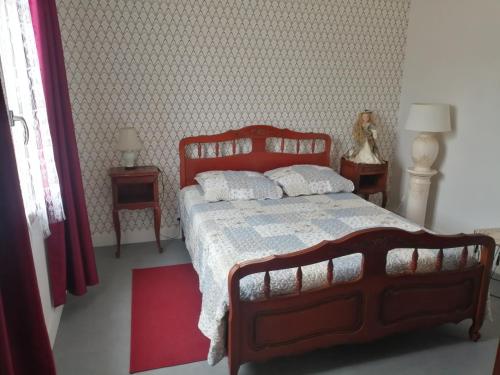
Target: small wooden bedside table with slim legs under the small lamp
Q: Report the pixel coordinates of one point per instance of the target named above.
(135, 189)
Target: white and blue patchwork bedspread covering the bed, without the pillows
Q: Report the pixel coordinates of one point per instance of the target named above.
(221, 234)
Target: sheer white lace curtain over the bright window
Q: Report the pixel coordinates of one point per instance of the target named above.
(24, 92)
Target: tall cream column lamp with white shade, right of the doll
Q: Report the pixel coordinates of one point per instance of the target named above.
(427, 119)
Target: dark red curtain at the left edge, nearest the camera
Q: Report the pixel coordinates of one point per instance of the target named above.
(24, 342)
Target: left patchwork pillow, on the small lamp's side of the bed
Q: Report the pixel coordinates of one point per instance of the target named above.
(237, 185)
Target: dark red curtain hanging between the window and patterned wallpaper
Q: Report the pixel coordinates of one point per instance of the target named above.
(69, 247)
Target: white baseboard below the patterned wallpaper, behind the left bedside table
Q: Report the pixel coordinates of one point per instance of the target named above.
(146, 235)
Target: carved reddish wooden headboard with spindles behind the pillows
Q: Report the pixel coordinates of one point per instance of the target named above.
(253, 148)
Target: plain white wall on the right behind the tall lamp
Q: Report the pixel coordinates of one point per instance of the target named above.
(453, 57)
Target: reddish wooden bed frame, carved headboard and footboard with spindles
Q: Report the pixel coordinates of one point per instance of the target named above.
(375, 305)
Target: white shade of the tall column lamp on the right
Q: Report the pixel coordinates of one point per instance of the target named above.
(429, 118)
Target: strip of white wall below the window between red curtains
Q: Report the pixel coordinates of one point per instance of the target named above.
(51, 314)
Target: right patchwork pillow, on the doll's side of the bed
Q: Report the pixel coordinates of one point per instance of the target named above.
(305, 179)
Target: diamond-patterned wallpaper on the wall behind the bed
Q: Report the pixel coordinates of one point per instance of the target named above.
(174, 68)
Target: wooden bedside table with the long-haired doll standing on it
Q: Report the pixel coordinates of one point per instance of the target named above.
(367, 178)
